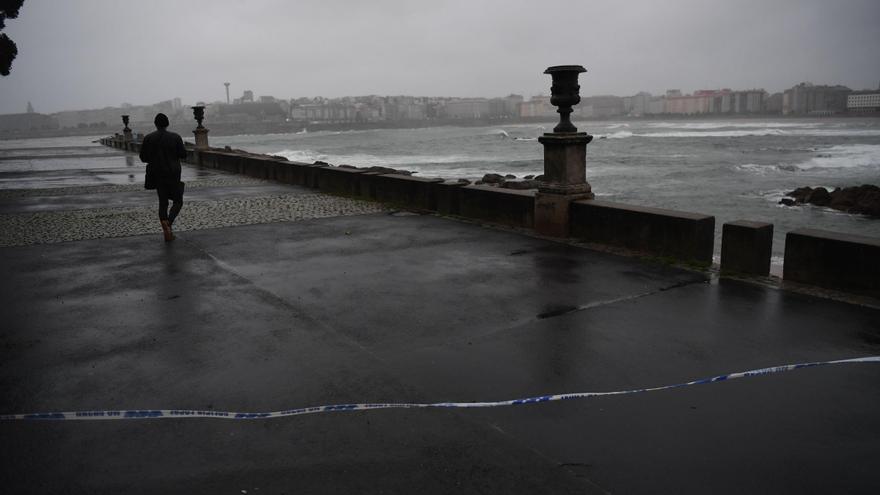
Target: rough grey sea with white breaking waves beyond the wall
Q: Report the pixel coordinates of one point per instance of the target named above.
(732, 169)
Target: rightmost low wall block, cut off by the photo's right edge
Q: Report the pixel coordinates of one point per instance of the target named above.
(833, 260)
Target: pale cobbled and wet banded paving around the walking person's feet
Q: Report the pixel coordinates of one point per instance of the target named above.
(69, 195)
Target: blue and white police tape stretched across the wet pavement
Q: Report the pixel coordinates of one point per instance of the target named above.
(180, 413)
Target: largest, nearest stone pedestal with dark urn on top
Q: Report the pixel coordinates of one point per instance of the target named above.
(565, 157)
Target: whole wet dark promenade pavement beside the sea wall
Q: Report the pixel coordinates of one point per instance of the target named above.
(275, 297)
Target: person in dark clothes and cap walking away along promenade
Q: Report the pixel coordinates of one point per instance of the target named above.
(162, 151)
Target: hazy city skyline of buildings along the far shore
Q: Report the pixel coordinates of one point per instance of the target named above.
(806, 100)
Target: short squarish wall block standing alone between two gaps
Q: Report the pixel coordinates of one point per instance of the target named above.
(746, 247)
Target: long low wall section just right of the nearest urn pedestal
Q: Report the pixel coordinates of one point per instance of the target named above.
(684, 236)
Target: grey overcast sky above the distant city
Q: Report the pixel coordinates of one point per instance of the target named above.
(97, 53)
